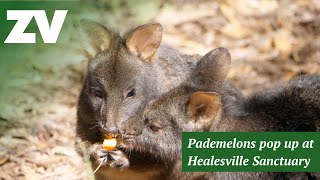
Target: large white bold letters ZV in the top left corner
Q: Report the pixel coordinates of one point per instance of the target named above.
(48, 32)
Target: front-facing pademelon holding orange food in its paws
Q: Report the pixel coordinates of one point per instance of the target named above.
(124, 74)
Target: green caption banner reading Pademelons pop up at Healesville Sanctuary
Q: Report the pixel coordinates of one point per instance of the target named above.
(250, 152)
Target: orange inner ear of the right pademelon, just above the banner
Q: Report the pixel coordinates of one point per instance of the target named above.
(204, 106)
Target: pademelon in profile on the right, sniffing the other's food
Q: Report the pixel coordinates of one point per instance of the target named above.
(271, 110)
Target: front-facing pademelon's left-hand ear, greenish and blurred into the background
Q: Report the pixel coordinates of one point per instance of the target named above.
(94, 37)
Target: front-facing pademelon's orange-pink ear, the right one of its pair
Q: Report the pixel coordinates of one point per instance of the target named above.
(145, 40)
